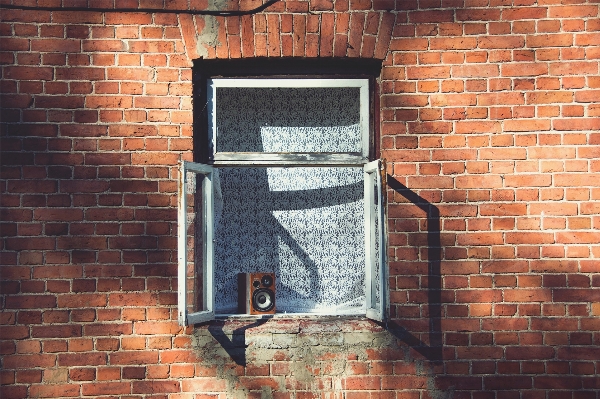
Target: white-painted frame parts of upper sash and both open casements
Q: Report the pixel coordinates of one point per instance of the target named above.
(373, 207)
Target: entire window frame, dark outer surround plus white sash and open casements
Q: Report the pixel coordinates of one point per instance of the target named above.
(266, 73)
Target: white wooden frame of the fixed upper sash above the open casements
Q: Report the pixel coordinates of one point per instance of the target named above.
(220, 154)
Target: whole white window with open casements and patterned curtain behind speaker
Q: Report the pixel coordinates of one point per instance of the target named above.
(286, 187)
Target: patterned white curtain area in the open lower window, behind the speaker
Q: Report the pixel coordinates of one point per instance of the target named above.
(304, 224)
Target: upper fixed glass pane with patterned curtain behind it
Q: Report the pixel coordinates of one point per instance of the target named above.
(288, 120)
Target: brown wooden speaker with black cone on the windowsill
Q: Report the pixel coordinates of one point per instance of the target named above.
(256, 293)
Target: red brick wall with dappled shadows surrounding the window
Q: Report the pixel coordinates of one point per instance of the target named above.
(490, 119)
